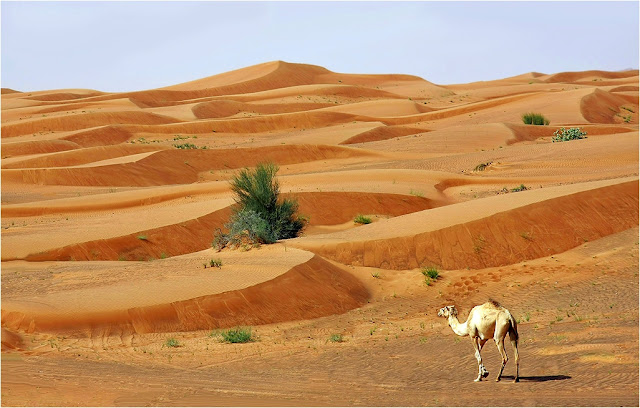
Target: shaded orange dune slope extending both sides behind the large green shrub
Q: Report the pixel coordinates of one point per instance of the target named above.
(329, 208)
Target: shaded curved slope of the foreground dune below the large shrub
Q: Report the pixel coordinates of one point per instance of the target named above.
(310, 290)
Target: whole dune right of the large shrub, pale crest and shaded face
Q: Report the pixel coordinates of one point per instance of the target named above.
(511, 229)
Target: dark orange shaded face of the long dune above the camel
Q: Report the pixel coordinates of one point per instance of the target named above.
(532, 231)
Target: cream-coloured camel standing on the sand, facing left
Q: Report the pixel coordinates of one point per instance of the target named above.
(484, 322)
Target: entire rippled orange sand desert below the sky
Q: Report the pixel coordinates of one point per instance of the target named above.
(107, 226)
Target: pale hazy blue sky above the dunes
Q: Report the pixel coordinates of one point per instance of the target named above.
(128, 46)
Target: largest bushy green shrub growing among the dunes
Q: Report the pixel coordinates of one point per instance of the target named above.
(259, 216)
